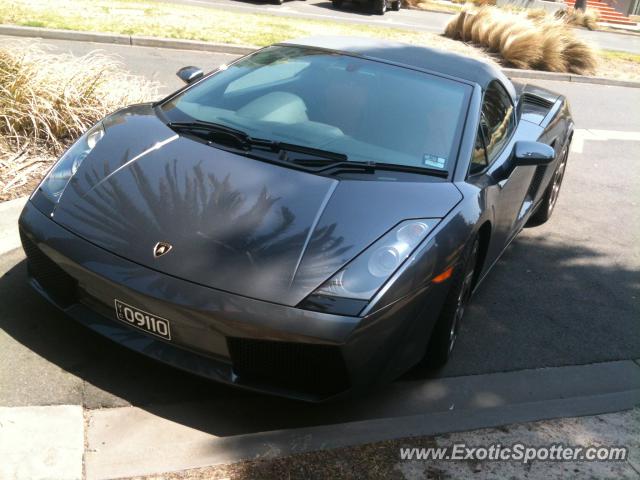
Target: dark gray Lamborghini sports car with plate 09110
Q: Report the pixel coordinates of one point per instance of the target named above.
(307, 221)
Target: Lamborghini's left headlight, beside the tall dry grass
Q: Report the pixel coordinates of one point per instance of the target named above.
(56, 181)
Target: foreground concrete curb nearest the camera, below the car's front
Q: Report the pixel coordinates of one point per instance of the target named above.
(178, 448)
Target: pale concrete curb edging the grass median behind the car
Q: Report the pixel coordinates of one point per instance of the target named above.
(141, 41)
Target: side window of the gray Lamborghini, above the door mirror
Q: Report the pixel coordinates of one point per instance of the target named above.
(497, 112)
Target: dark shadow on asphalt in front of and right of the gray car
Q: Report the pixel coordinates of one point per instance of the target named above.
(545, 304)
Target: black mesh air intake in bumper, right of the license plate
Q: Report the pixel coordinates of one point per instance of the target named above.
(309, 368)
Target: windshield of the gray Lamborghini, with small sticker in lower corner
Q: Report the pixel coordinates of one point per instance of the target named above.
(367, 110)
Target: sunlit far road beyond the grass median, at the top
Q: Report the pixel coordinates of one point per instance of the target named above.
(409, 19)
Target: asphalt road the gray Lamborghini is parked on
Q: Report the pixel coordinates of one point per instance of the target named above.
(566, 293)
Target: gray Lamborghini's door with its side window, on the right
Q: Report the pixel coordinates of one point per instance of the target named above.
(505, 188)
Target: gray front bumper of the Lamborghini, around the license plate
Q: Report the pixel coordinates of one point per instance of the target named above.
(229, 338)
